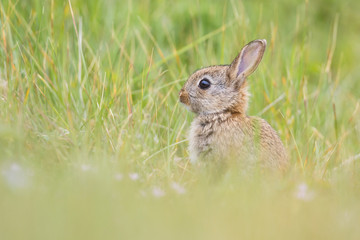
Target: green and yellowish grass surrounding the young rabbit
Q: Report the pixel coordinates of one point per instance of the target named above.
(93, 138)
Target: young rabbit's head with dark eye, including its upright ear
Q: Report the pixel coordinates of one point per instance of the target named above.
(223, 88)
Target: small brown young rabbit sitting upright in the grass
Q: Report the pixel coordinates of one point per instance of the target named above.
(222, 131)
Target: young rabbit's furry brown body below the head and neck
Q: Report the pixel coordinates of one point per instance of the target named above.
(236, 137)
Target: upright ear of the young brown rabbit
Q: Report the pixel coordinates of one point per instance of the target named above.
(247, 60)
